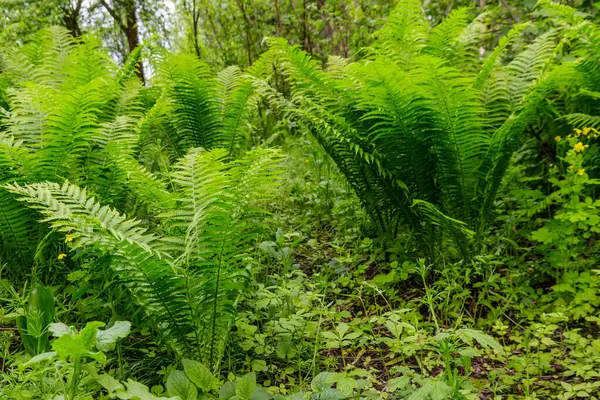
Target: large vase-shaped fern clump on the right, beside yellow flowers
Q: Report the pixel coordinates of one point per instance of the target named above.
(421, 127)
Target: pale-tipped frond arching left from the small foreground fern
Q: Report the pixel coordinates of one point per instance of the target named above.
(140, 267)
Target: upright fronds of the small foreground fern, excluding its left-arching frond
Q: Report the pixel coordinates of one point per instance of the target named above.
(220, 215)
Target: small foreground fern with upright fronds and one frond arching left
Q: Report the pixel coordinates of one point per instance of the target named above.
(188, 280)
